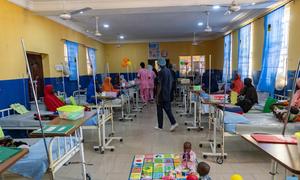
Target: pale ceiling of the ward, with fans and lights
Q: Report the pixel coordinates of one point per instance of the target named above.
(149, 20)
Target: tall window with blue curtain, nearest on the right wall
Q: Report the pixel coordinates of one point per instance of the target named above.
(275, 49)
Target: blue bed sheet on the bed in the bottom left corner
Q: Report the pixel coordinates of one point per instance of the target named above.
(35, 164)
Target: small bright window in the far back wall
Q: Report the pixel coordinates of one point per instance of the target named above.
(190, 64)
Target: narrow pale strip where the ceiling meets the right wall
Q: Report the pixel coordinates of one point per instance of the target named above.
(268, 11)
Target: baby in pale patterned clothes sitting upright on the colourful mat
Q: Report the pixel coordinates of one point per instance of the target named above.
(189, 159)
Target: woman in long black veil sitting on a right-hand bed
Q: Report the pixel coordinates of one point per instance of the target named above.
(248, 96)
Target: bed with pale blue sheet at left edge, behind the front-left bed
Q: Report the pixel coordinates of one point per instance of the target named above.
(9, 119)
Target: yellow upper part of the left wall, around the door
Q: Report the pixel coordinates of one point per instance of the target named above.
(41, 35)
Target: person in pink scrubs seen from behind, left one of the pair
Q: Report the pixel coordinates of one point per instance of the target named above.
(143, 76)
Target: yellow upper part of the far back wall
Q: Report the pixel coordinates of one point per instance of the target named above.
(138, 52)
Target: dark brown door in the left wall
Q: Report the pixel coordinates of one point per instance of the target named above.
(36, 68)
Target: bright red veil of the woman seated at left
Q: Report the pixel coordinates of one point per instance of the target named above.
(51, 101)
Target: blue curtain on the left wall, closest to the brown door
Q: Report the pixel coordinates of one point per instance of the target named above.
(72, 49)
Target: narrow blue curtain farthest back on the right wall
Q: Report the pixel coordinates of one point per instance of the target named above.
(227, 58)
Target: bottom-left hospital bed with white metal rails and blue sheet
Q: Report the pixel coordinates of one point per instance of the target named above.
(35, 164)
